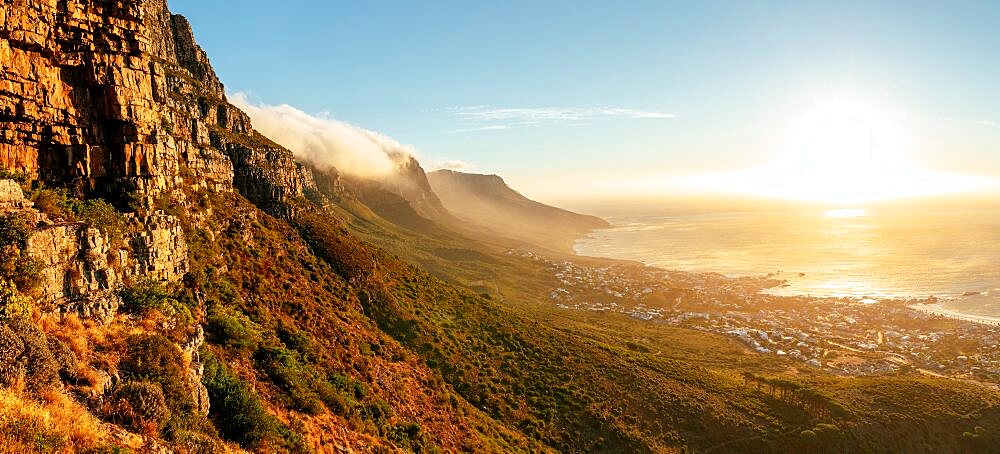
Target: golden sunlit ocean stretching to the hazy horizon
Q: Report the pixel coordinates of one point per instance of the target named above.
(947, 249)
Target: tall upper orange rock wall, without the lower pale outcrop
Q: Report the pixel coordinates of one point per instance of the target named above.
(110, 94)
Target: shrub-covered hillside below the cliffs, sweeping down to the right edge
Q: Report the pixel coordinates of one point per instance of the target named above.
(319, 340)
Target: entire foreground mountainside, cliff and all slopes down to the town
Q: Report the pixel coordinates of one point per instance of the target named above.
(181, 278)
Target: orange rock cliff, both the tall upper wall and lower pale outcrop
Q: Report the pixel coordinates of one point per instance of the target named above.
(116, 98)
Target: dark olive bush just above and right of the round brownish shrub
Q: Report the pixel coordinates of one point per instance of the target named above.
(156, 359)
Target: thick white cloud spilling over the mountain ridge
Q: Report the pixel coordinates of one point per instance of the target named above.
(325, 142)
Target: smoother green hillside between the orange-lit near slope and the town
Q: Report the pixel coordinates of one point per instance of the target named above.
(582, 382)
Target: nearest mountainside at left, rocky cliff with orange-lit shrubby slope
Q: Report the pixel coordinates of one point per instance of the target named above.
(187, 309)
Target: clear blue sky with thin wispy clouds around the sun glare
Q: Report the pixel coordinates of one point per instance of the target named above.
(558, 95)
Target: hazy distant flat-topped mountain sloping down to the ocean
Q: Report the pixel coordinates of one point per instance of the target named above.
(487, 201)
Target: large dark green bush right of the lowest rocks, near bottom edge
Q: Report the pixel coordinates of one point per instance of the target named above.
(237, 410)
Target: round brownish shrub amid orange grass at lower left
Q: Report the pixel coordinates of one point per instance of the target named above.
(139, 405)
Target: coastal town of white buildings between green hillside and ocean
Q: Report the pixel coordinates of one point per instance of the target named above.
(844, 336)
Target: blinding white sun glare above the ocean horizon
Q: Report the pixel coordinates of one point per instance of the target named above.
(843, 152)
